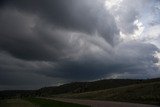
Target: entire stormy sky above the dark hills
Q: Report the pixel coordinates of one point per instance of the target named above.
(52, 42)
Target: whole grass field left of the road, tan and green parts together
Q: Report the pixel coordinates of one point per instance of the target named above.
(36, 102)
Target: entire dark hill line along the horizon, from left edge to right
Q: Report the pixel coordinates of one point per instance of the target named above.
(75, 87)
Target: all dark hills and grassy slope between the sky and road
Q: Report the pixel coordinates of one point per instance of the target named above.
(144, 91)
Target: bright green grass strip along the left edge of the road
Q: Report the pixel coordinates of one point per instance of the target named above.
(52, 103)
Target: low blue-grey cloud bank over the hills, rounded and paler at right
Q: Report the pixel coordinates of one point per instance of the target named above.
(131, 60)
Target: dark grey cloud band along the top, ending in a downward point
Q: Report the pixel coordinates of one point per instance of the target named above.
(83, 15)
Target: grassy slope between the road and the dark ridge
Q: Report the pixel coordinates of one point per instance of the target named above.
(139, 93)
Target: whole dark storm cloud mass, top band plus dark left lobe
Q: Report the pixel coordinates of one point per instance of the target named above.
(86, 16)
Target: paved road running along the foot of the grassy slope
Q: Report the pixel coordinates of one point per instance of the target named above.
(95, 103)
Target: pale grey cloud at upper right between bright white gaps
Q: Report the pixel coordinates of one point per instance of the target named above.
(128, 12)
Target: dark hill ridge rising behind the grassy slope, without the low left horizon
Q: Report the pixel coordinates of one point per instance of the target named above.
(80, 87)
